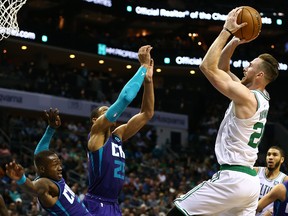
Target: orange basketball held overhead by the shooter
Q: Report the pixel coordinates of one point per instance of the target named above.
(254, 23)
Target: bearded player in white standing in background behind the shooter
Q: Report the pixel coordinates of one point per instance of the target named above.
(271, 175)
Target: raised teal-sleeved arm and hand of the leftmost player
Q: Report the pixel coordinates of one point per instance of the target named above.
(54, 122)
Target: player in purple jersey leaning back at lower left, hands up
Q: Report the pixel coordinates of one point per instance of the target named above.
(54, 195)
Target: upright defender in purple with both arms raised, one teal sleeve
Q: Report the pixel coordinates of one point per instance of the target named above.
(106, 158)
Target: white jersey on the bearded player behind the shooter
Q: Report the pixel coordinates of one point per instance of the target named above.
(266, 185)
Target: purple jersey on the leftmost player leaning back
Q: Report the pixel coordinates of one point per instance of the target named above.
(68, 204)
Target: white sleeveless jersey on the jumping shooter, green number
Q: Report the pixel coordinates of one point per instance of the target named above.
(238, 139)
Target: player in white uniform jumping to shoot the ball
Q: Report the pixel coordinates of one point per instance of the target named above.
(234, 190)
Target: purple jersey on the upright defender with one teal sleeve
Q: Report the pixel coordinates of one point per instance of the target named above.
(106, 168)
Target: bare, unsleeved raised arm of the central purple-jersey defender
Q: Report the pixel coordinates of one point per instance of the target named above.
(126, 131)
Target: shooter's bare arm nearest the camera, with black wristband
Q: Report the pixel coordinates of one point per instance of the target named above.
(235, 91)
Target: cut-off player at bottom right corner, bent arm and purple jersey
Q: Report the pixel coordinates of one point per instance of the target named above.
(278, 195)
